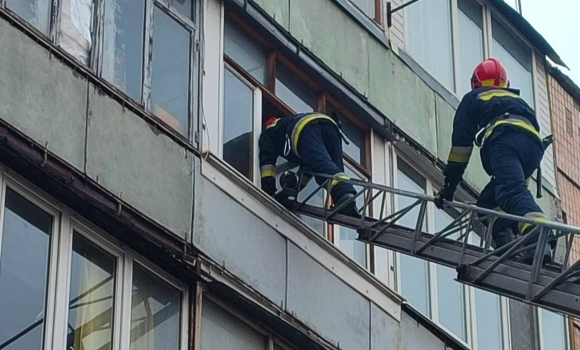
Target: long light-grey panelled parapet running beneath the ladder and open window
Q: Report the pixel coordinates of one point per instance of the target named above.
(289, 276)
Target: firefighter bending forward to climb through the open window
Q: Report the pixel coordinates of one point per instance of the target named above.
(315, 142)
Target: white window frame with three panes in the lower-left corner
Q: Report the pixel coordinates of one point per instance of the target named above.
(65, 224)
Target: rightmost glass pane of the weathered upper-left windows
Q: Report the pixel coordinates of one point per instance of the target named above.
(170, 76)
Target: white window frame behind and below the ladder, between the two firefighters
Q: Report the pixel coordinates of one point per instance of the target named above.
(468, 292)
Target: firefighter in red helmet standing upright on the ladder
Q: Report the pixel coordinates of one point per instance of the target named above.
(502, 124)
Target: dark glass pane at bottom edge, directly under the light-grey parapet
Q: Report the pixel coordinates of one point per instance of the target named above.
(220, 330)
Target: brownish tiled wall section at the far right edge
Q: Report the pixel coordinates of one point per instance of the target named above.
(565, 110)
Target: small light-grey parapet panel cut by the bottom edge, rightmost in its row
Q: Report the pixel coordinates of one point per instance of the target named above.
(415, 336)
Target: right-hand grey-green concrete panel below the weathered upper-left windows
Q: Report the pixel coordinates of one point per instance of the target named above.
(126, 155)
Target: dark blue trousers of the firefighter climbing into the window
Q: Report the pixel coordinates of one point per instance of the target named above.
(320, 151)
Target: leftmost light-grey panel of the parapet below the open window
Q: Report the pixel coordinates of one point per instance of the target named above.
(244, 244)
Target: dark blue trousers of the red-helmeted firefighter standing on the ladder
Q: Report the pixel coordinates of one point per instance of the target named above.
(510, 159)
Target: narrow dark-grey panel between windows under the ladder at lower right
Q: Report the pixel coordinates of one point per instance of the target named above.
(521, 325)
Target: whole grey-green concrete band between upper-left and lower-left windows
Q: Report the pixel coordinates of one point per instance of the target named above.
(52, 105)
